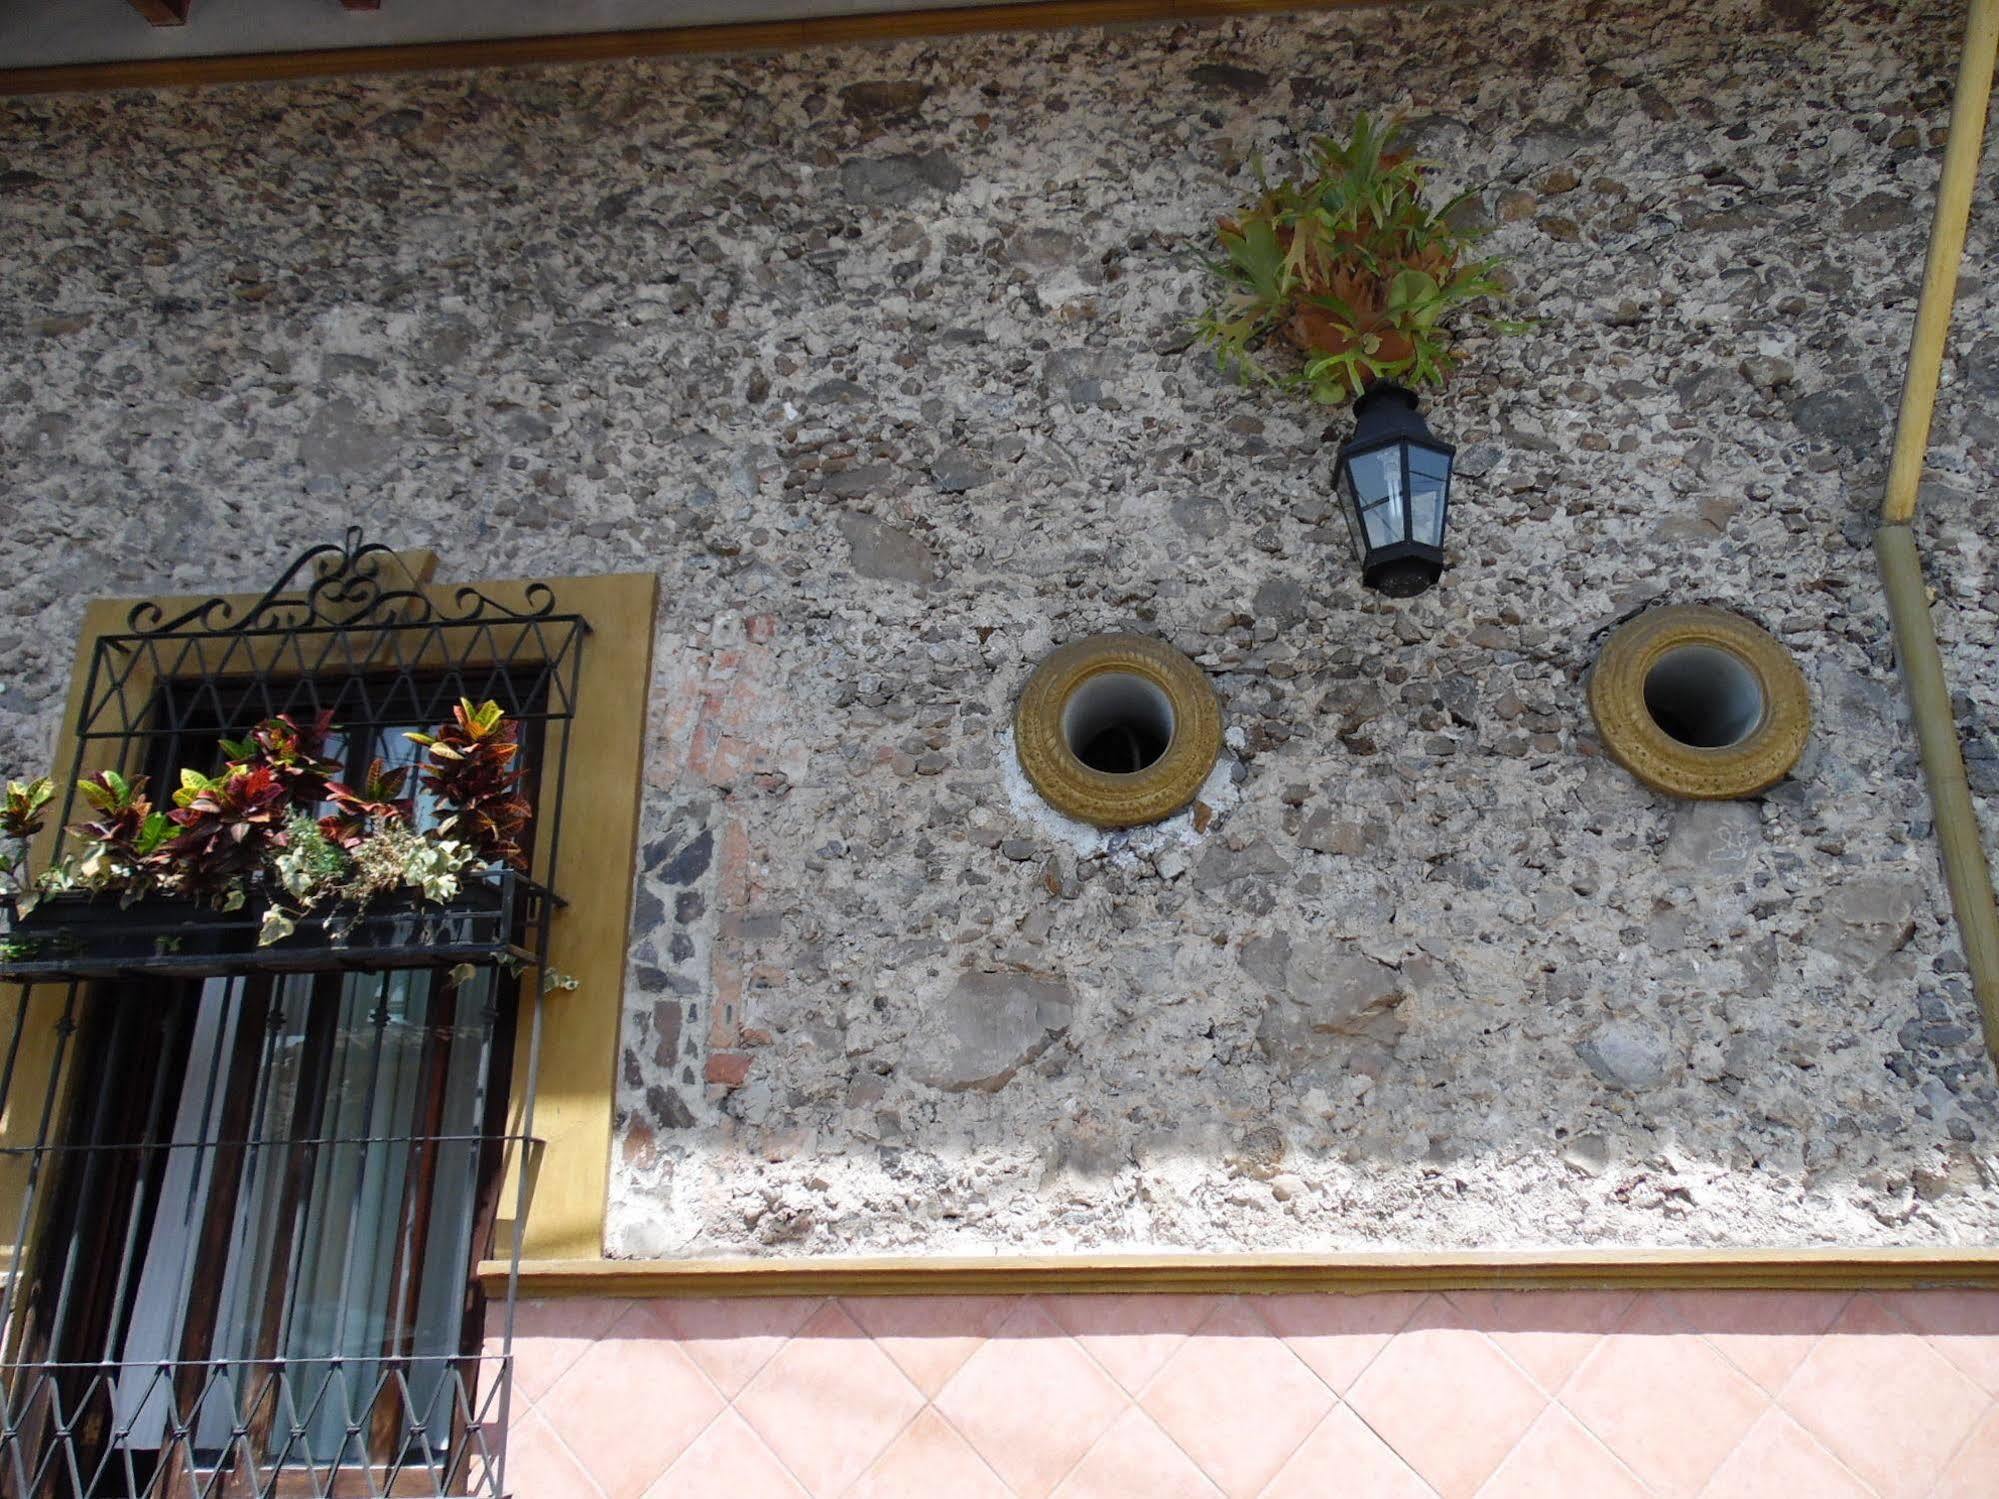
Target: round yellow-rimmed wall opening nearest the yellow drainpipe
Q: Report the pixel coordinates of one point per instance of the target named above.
(1700, 703)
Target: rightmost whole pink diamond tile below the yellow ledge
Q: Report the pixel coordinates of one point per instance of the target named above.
(1884, 1400)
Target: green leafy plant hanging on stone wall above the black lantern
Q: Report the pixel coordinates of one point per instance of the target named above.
(1354, 271)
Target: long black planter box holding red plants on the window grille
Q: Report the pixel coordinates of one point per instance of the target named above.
(495, 918)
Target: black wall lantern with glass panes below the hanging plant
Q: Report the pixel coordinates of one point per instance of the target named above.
(1396, 483)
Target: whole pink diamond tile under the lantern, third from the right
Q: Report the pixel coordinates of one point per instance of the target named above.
(1446, 1400)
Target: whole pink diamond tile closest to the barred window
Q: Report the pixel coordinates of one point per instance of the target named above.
(637, 1358)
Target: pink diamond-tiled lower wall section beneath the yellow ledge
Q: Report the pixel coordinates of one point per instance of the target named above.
(1598, 1396)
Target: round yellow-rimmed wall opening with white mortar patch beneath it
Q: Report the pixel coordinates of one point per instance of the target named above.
(1118, 731)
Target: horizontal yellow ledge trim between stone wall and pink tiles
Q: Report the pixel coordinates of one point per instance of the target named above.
(1254, 1272)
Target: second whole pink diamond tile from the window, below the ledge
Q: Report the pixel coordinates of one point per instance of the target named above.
(829, 1402)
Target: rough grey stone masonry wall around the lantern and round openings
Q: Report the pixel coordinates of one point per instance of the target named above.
(881, 361)
